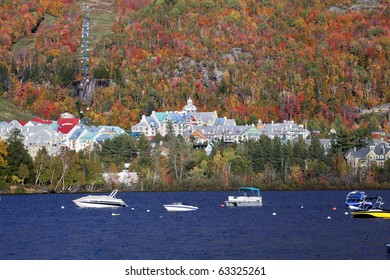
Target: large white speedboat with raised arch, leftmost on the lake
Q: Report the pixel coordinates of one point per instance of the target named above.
(100, 201)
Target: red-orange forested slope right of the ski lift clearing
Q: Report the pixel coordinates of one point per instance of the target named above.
(272, 60)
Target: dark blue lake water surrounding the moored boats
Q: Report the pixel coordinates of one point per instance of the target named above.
(37, 227)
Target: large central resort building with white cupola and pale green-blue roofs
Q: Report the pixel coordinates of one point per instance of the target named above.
(201, 128)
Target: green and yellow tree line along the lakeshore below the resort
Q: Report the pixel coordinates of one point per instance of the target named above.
(171, 164)
